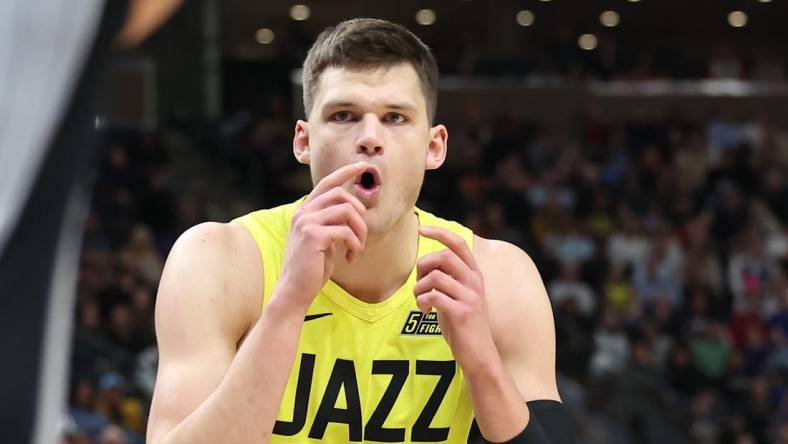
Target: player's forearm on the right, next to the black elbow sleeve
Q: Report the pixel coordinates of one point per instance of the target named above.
(498, 406)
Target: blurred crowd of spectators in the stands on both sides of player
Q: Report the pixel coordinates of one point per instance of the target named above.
(663, 246)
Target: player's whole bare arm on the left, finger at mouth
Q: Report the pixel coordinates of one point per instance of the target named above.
(223, 370)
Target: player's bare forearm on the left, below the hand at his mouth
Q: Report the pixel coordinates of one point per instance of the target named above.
(244, 406)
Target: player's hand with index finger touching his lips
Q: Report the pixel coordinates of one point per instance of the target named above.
(330, 220)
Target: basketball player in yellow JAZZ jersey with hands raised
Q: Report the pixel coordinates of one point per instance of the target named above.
(369, 319)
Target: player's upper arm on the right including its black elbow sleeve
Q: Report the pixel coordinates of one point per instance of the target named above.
(523, 329)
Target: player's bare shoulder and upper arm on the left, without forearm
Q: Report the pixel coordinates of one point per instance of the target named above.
(200, 317)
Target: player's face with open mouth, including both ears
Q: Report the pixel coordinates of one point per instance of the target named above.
(378, 116)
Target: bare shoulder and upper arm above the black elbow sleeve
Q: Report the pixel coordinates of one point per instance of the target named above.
(521, 317)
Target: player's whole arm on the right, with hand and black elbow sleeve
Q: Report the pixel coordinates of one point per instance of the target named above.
(496, 317)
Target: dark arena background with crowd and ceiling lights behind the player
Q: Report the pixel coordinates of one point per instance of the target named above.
(643, 165)
